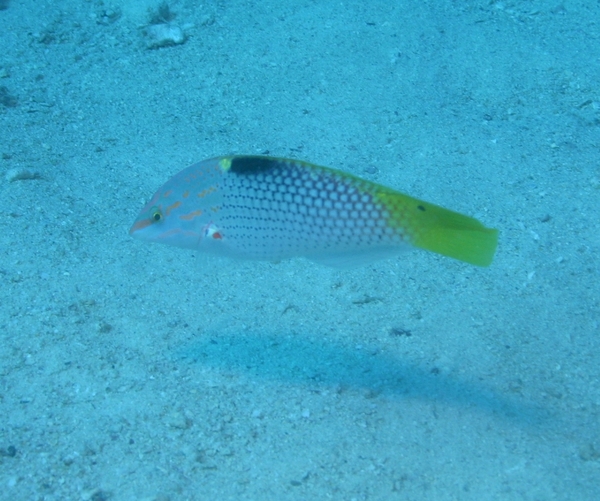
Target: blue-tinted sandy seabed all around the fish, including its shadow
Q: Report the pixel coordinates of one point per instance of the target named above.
(137, 371)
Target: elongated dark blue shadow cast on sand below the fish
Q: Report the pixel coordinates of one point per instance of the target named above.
(322, 363)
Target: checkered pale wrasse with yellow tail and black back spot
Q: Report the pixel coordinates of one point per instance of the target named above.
(268, 208)
